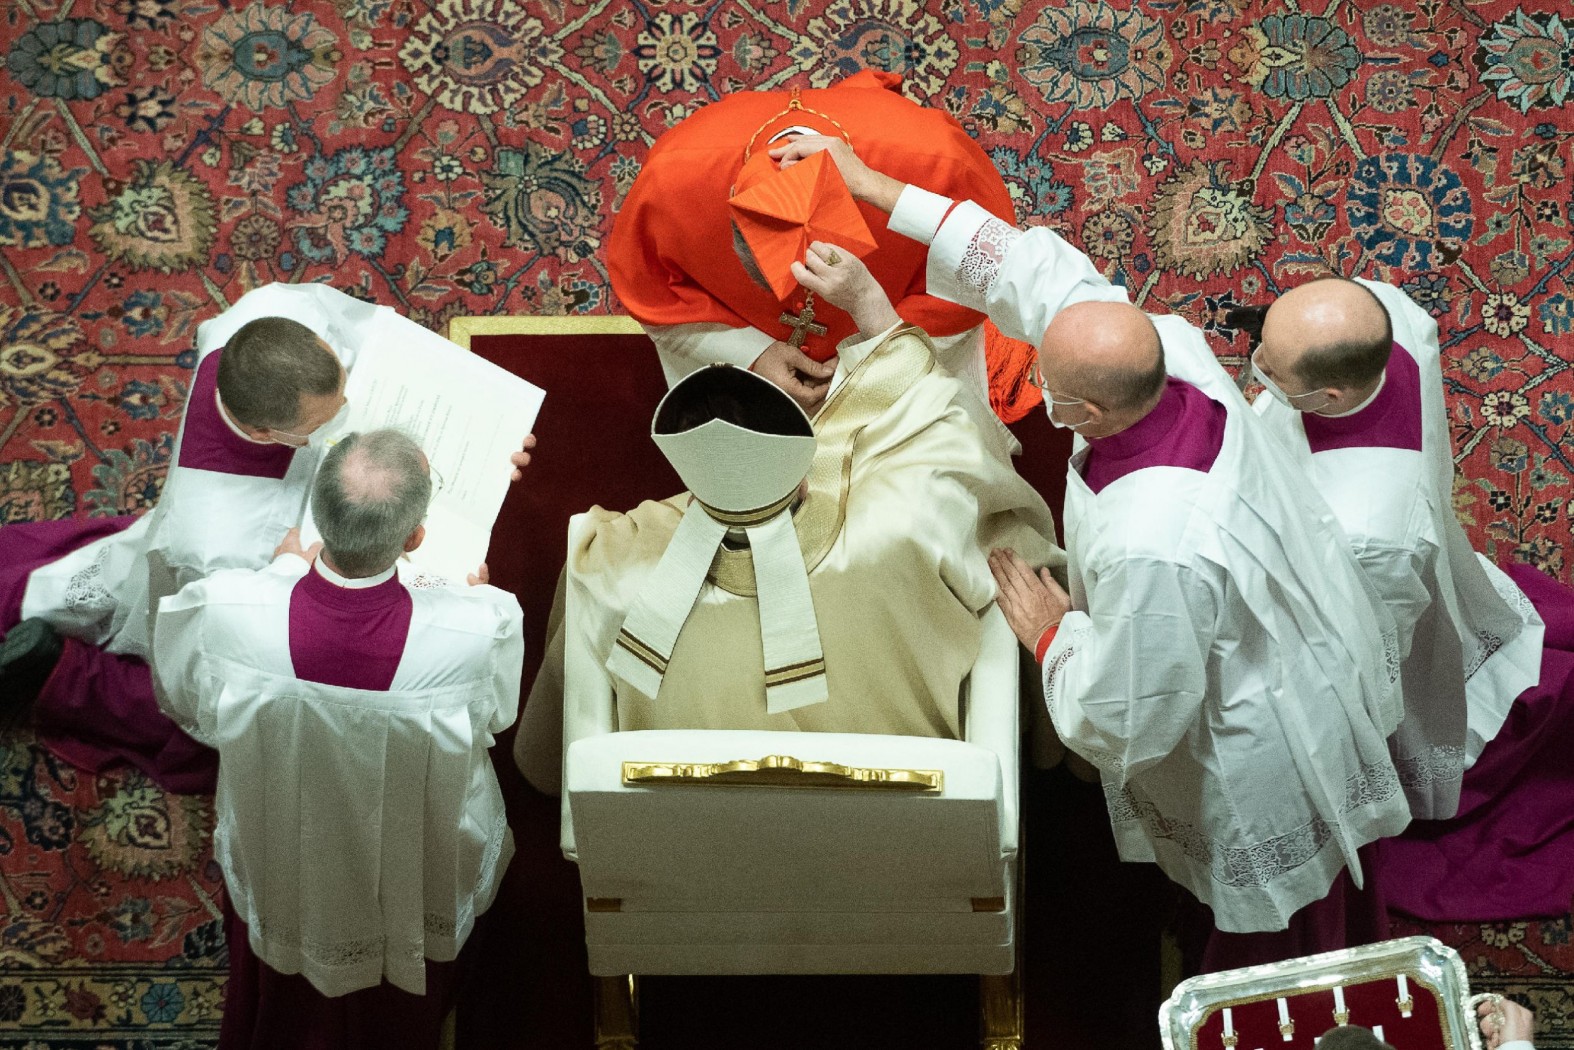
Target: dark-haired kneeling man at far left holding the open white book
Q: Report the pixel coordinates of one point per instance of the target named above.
(78, 597)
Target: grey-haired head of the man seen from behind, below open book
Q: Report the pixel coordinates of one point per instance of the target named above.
(369, 497)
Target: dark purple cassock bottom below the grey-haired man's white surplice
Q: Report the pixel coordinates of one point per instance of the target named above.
(265, 1010)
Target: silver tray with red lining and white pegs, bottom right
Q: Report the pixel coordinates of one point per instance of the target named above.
(1411, 993)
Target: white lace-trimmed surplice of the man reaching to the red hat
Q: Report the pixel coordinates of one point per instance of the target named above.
(1227, 665)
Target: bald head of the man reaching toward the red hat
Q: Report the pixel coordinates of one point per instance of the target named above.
(1107, 353)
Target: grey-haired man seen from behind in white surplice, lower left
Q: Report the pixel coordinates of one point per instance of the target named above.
(361, 826)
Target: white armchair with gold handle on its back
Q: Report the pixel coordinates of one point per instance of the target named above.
(733, 852)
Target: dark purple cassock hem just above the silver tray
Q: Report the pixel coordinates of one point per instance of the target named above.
(1345, 919)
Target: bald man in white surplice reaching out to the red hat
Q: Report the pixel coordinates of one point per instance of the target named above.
(1221, 657)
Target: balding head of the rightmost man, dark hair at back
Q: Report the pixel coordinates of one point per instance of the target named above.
(1329, 333)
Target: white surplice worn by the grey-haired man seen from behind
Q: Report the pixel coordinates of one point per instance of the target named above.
(360, 832)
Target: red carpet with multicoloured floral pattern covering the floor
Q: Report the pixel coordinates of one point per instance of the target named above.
(158, 158)
